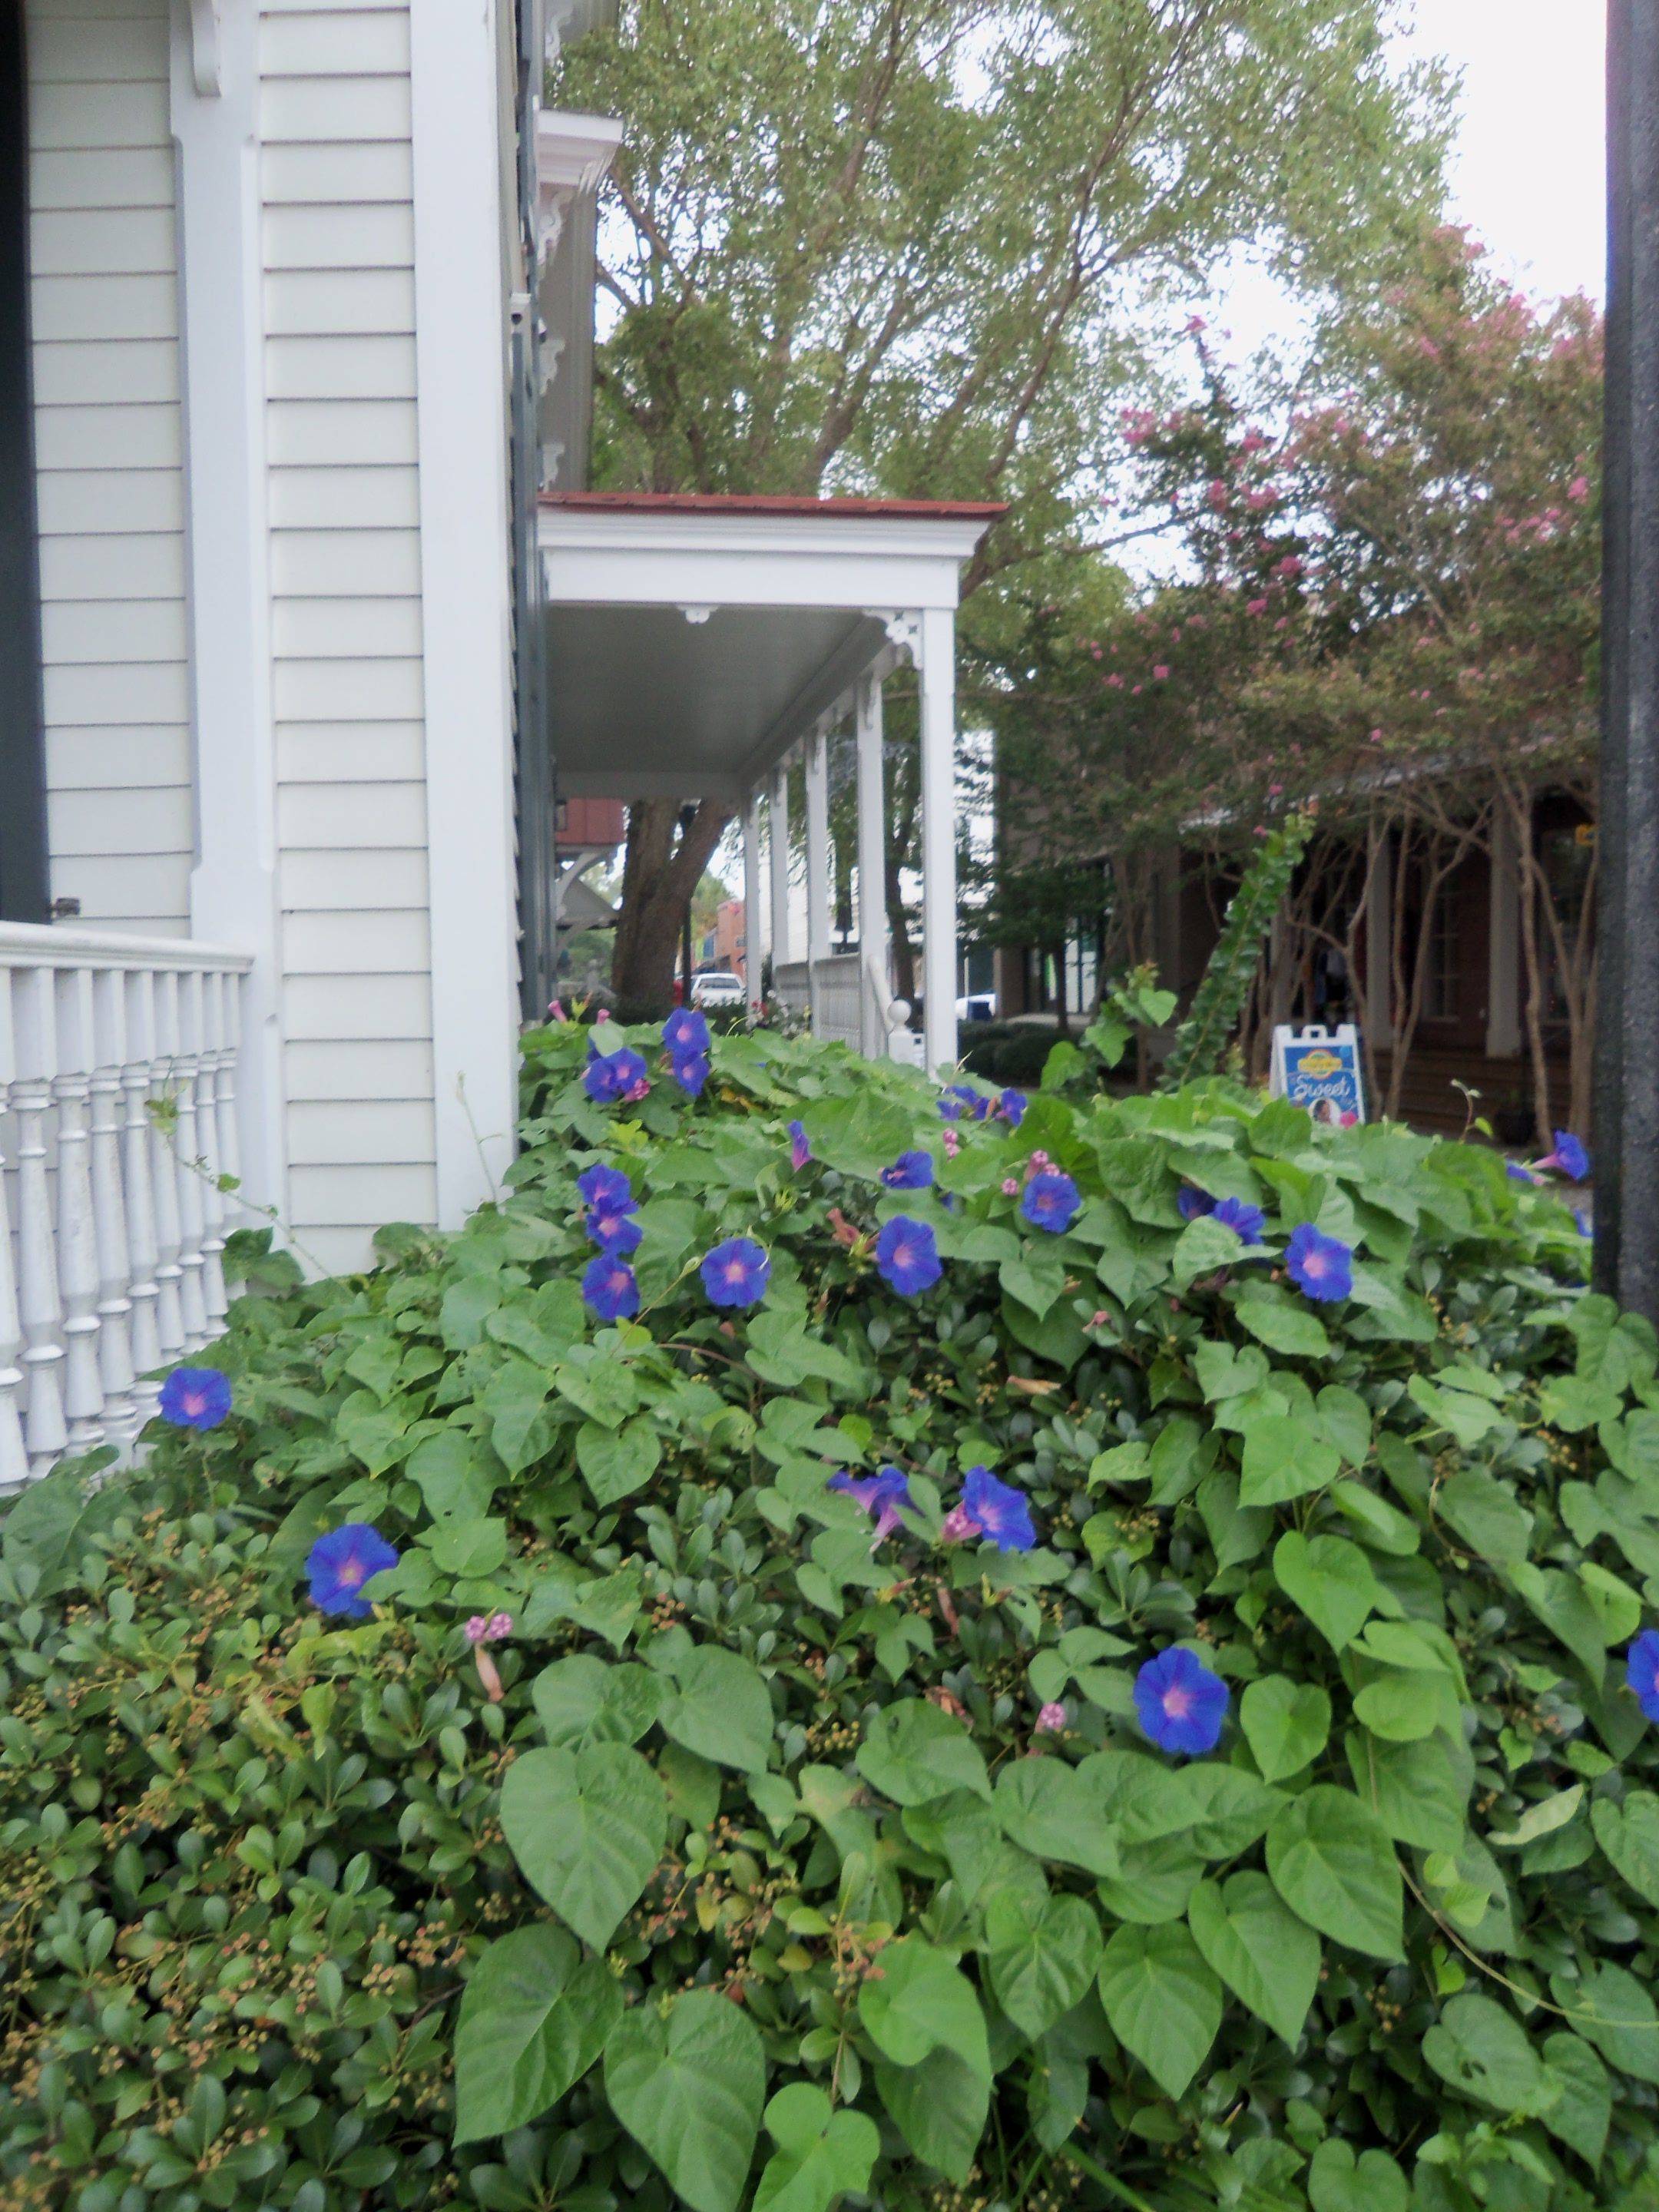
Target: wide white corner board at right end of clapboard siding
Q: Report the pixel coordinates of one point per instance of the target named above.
(466, 605)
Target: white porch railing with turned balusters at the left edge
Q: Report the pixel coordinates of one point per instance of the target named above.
(118, 1114)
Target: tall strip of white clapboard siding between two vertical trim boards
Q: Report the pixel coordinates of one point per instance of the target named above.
(346, 620)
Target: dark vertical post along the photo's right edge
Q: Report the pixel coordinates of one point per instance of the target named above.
(1627, 1072)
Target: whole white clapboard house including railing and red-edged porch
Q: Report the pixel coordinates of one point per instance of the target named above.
(302, 616)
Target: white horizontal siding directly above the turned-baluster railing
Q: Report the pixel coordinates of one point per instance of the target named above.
(112, 461)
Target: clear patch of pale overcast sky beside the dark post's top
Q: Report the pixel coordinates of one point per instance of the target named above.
(1530, 165)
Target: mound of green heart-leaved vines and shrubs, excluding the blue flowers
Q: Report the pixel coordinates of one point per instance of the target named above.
(758, 1875)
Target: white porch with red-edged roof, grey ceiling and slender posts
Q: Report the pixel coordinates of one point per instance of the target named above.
(698, 643)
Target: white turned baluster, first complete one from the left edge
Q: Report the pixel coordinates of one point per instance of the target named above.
(39, 1304)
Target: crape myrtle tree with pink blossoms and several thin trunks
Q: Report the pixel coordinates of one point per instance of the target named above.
(1388, 609)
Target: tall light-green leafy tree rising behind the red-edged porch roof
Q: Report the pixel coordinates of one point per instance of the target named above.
(904, 247)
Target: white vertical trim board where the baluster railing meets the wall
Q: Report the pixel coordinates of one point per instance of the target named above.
(222, 326)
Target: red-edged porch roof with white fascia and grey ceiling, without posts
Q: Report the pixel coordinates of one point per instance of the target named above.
(693, 643)
